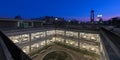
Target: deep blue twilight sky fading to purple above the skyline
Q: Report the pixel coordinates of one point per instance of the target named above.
(79, 9)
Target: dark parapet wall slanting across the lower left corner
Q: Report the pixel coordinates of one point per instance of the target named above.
(10, 50)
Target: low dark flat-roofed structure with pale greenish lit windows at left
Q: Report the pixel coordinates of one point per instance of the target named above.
(18, 23)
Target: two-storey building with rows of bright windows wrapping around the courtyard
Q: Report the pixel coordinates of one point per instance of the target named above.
(85, 38)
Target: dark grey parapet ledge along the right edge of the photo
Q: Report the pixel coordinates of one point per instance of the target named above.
(111, 43)
